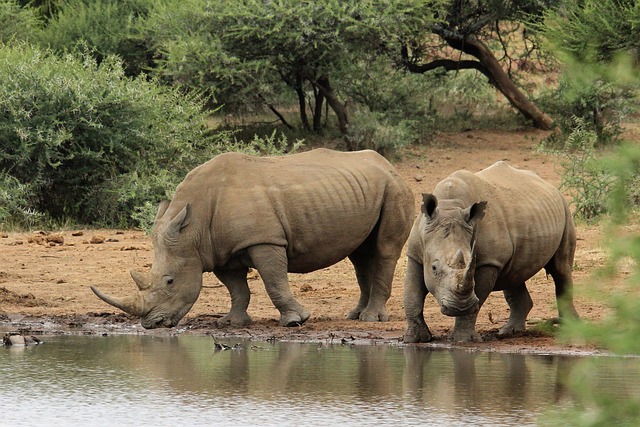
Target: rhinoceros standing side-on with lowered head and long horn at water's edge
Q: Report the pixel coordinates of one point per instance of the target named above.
(296, 213)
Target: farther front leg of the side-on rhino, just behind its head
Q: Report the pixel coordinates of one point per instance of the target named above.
(236, 282)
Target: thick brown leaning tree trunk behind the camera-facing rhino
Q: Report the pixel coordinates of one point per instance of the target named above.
(501, 81)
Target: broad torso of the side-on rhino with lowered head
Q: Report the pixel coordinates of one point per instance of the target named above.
(320, 204)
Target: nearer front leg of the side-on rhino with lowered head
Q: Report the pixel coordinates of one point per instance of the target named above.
(271, 262)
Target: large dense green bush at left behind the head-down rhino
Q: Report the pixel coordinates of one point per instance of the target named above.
(89, 144)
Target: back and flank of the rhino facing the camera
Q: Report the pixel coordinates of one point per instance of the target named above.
(524, 221)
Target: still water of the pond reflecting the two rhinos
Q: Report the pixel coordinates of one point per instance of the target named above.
(183, 381)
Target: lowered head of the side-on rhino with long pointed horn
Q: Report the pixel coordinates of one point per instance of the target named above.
(172, 287)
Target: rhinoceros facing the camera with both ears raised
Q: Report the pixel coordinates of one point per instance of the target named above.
(519, 223)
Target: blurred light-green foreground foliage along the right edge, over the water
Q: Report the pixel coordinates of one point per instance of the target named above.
(620, 331)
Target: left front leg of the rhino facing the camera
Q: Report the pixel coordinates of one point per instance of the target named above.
(415, 292)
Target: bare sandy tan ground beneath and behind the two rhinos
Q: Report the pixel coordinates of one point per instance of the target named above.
(45, 276)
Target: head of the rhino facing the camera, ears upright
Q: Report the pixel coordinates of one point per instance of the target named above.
(449, 253)
